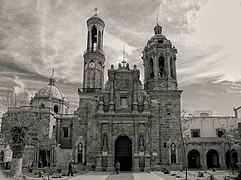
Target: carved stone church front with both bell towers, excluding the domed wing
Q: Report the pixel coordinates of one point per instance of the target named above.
(123, 122)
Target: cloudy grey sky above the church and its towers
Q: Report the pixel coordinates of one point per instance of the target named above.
(39, 35)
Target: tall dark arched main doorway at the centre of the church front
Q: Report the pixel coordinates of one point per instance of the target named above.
(123, 153)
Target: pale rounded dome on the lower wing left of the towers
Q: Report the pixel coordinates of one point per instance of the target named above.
(50, 91)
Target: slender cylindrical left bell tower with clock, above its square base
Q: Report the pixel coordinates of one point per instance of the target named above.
(94, 56)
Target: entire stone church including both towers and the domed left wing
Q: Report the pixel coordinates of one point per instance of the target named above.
(121, 120)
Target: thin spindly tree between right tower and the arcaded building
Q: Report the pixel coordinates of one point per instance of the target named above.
(184, 123)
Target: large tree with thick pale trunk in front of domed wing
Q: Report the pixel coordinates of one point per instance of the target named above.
(18, 121)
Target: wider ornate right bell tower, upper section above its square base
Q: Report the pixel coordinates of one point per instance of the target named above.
(159, 56)
